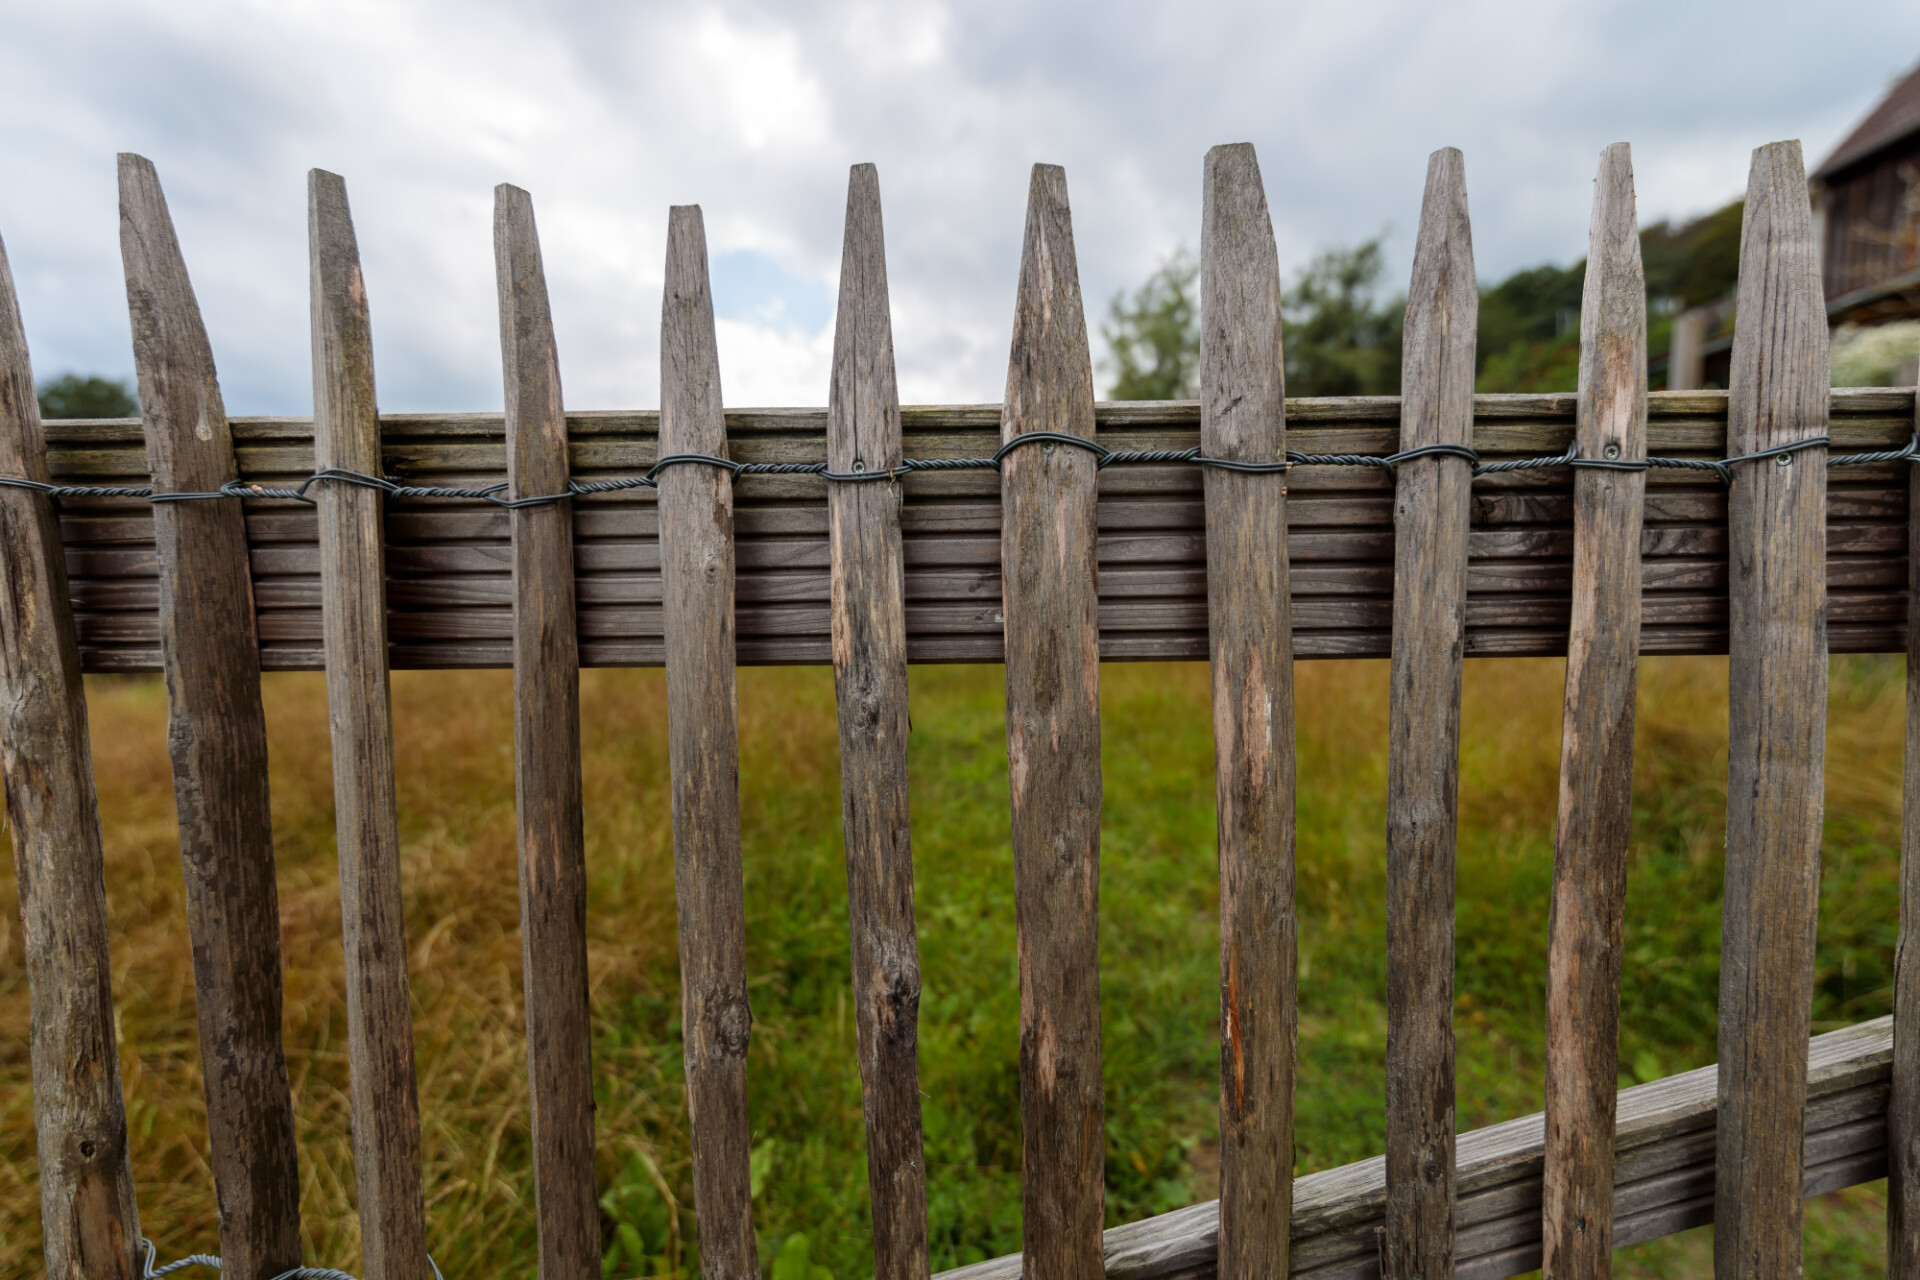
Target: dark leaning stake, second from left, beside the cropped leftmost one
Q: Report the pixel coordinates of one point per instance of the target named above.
(218, 738)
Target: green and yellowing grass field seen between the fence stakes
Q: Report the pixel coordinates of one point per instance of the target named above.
(1159, 951)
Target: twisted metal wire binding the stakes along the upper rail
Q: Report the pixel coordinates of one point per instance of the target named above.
(1105, 458)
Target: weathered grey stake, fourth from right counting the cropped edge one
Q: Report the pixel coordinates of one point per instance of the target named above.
(1431, 521)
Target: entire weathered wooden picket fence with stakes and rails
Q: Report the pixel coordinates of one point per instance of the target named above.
(1671, 523)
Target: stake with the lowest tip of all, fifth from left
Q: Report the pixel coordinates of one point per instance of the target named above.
(704, 753)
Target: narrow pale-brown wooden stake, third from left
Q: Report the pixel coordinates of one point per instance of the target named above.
(347, 433)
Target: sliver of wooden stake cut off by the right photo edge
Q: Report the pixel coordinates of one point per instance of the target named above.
(1904, 1106)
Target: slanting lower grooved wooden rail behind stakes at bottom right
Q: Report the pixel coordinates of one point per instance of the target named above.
(1664, 1179)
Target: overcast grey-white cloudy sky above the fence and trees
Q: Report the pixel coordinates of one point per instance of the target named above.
(613, 112)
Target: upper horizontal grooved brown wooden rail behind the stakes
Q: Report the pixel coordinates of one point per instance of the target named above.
(450, 579)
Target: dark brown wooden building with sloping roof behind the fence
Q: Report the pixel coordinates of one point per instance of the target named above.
(1869, 201)
